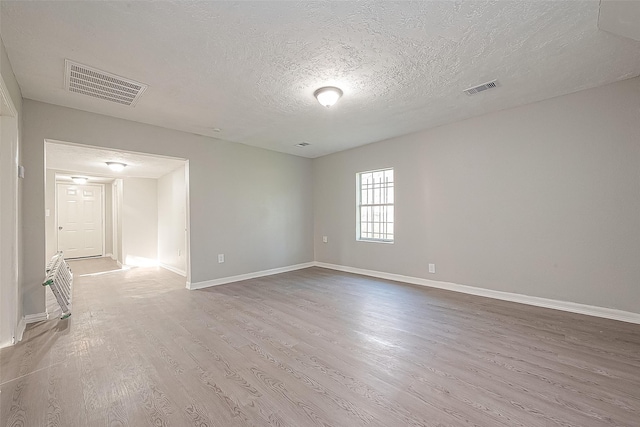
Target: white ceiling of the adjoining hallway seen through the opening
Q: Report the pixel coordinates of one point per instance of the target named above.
(88, 161)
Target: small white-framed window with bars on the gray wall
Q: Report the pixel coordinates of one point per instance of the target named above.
(375, 220)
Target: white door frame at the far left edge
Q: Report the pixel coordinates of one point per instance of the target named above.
(10, 293)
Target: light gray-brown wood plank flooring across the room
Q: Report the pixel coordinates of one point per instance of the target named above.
(313, 347)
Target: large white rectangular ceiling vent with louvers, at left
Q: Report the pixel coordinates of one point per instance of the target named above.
(100, 84)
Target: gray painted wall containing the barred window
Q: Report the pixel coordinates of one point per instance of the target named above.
(541, 200)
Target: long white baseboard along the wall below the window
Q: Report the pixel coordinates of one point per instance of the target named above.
(589, 310)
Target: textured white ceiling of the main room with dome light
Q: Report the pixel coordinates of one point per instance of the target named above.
(250, 68)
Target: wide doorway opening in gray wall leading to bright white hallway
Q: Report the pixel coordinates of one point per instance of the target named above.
(138, 216)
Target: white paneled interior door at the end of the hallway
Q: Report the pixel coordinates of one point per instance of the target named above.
(80, 229)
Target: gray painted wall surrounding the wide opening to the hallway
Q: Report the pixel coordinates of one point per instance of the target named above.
(253, 205)
